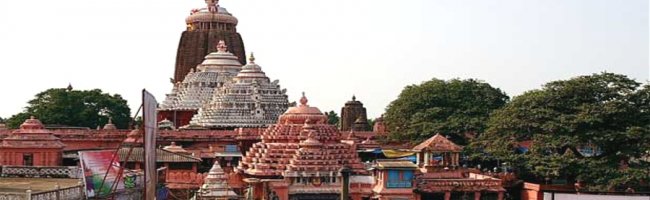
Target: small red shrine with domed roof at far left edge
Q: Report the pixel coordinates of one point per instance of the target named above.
(31, 145)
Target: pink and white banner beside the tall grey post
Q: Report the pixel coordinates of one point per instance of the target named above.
(97, 167)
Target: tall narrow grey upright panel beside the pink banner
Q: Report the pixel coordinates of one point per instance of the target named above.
(150, 106)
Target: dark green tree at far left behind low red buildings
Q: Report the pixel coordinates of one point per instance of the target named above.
(88, 108)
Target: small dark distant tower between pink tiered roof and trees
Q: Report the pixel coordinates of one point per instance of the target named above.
(353, 116)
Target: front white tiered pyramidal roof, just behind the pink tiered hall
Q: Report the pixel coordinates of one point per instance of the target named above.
(250, 99)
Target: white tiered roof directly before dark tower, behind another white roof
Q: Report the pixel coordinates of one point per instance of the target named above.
(198, 87)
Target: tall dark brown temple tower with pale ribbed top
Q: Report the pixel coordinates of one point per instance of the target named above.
(205, 27)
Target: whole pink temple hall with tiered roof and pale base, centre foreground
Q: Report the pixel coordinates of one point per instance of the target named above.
(300, 157)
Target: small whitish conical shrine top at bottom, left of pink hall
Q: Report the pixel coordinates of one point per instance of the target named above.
(216, 186)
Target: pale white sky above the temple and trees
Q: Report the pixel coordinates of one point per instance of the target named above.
(331, 50)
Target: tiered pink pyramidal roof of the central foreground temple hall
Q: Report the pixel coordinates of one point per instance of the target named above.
(300, 144)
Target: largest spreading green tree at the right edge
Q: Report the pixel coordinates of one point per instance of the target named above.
(607, 113)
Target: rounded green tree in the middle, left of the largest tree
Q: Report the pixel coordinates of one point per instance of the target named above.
(455, 108)
